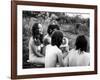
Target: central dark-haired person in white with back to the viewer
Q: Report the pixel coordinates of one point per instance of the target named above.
(53, 55)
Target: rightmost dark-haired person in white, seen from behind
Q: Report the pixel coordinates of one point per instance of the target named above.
(78, 56)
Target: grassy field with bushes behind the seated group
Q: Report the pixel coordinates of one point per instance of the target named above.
(71, 27)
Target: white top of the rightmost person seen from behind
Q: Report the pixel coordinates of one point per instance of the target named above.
(74, 58)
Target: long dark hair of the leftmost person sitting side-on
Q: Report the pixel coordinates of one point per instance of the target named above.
(35, 32)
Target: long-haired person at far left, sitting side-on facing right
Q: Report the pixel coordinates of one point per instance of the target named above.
(35, 44)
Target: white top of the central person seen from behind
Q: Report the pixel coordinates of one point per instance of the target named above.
(53, 56)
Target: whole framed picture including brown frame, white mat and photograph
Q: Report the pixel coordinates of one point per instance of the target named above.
(53, 39)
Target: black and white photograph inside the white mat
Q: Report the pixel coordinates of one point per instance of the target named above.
(55, 39)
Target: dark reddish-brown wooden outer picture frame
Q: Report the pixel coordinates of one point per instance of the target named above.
(14, 38)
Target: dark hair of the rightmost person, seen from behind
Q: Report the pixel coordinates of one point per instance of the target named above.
(81, 43)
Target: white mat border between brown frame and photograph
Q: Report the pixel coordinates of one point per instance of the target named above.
(21, 71)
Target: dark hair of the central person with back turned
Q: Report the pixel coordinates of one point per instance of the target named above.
(56, 38)
